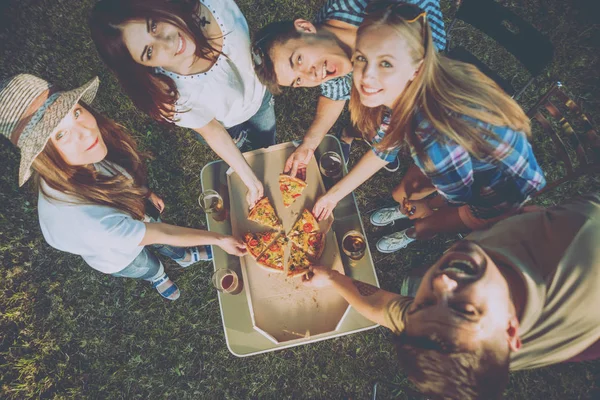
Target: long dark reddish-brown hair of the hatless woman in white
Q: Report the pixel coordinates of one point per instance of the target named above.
(155, 94)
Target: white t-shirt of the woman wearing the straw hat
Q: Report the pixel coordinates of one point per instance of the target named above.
(108, 239)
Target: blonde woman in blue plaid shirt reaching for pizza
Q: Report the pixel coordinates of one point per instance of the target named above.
(473, 164)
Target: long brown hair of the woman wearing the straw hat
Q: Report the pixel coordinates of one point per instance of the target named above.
(90, 187)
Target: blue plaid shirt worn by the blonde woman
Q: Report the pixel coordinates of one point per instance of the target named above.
(489, 187)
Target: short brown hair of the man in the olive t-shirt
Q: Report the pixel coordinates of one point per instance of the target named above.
(443, 371)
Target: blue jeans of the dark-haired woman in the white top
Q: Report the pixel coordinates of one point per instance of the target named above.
(259, 130)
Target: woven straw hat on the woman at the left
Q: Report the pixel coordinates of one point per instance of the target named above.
(30, 110)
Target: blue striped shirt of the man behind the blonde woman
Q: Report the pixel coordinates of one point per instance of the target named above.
(352, 12)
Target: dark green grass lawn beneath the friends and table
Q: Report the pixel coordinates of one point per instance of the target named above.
(67, 331)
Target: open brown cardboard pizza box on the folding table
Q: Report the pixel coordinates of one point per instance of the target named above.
(282, 308)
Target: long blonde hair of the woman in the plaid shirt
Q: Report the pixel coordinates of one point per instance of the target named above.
(443, 90)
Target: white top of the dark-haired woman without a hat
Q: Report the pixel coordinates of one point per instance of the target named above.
(230, 91)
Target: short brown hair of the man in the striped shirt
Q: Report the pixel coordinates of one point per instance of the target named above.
(266, 38)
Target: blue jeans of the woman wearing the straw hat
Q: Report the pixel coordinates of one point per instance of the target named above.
(147, 266)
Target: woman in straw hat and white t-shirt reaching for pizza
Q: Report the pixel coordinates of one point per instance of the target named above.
(91, 180)
